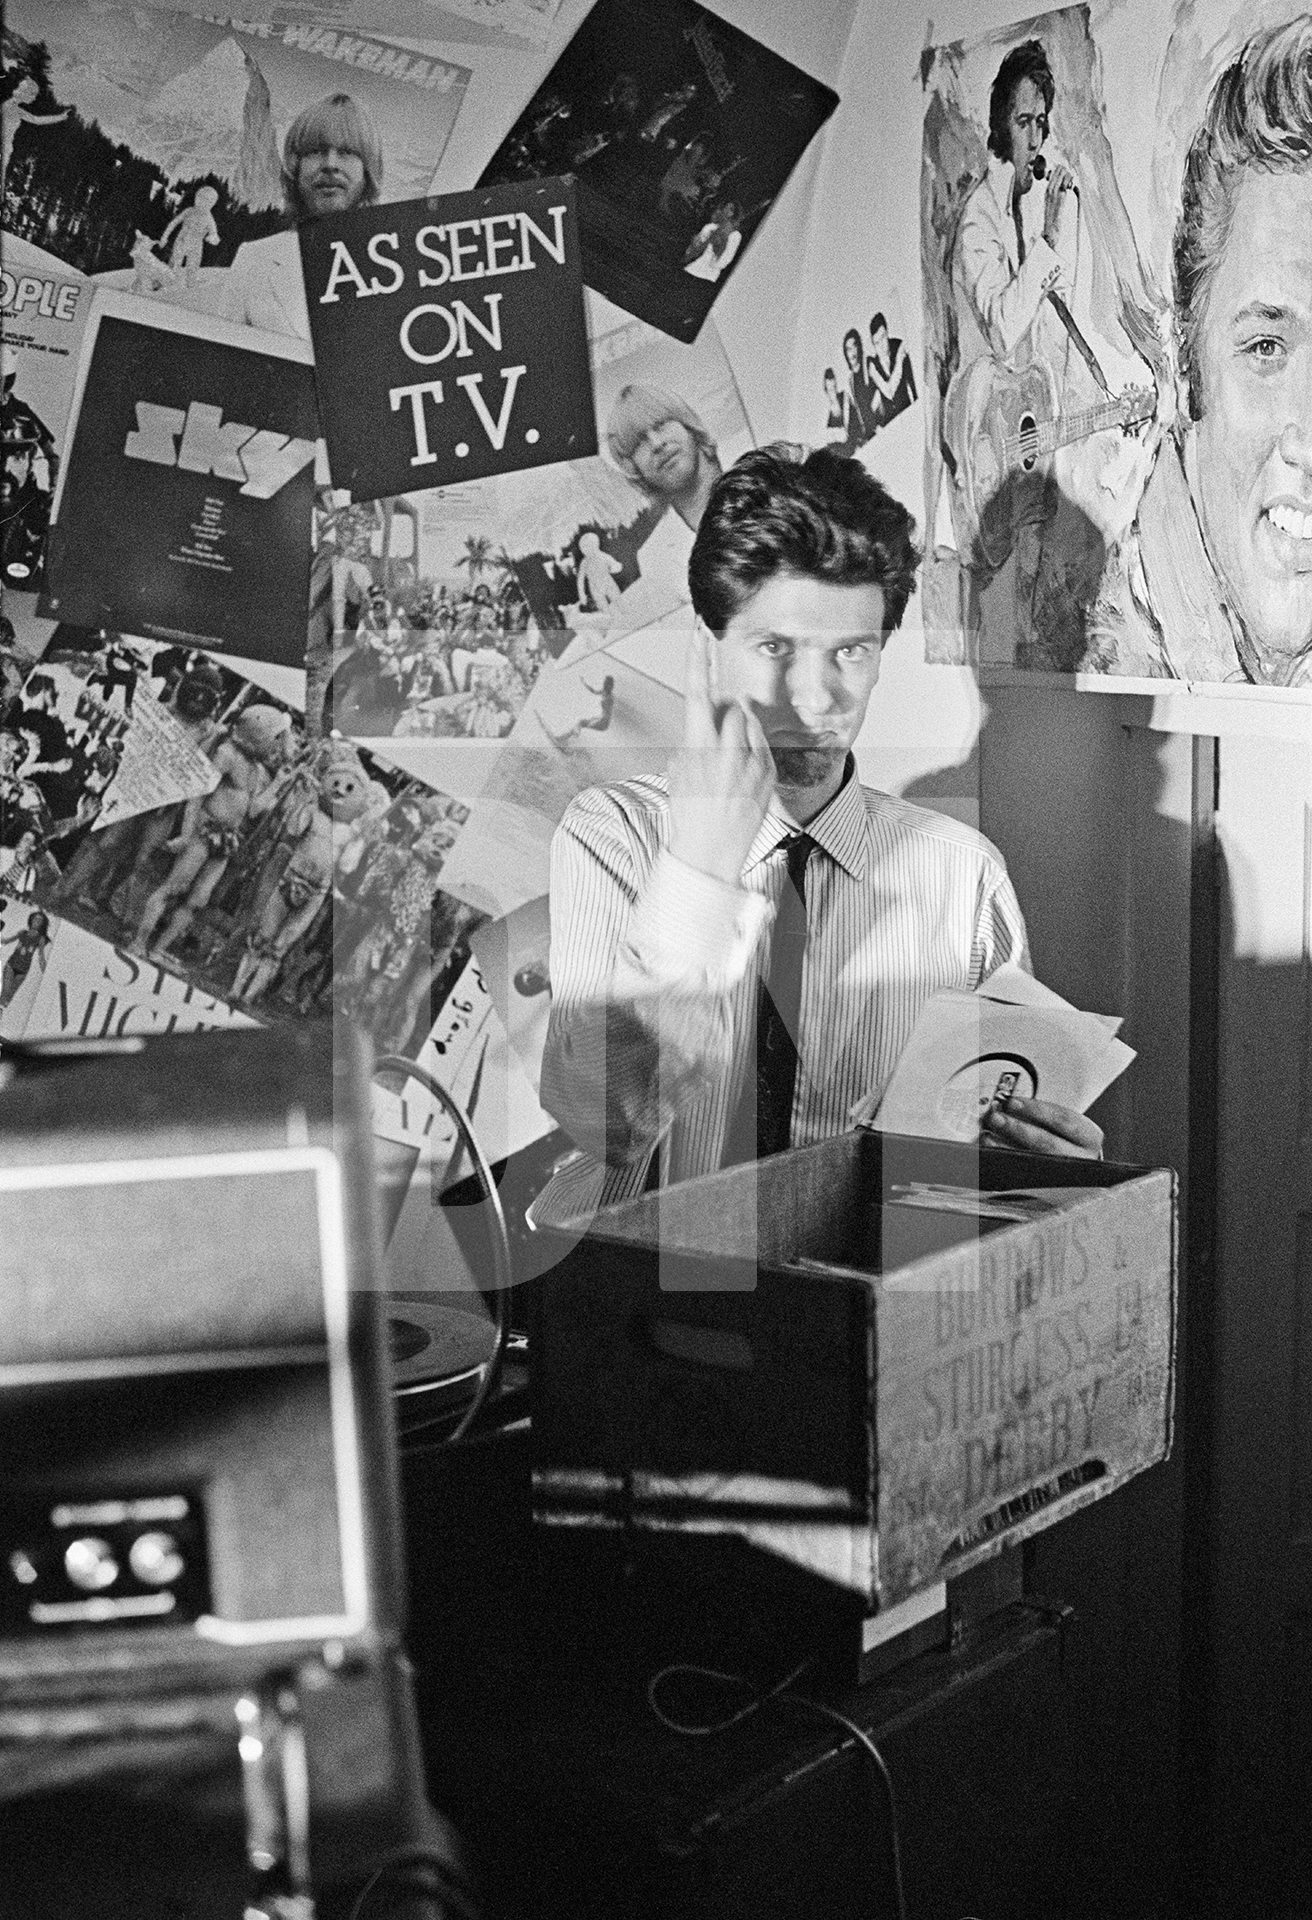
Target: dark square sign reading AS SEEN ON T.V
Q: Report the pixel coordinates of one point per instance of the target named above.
(450, 337)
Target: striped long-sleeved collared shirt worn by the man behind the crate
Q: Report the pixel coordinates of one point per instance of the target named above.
(656, 971)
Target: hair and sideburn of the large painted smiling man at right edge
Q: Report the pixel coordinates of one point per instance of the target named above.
(1259, 116)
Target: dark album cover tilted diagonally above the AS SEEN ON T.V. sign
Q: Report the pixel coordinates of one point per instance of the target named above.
(681, 133)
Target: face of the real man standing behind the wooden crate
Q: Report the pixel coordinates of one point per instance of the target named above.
(806, 658)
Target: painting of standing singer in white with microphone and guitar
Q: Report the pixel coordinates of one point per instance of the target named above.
(1044, 352)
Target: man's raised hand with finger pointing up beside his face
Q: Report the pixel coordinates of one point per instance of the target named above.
(721, 779)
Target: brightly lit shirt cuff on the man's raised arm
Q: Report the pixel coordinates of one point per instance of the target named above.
(694, 930)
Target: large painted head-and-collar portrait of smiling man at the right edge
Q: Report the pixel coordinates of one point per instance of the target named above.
(1215, 577)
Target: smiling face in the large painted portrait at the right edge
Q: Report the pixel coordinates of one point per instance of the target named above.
(1255, 437)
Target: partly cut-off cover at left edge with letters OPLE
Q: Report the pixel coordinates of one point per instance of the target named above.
(43, 312)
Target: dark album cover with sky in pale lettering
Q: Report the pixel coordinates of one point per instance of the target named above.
(183, 508)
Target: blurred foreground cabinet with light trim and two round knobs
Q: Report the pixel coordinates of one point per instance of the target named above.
(193, 1401)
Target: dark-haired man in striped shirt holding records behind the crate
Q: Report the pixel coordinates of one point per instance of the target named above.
(664, 890)
